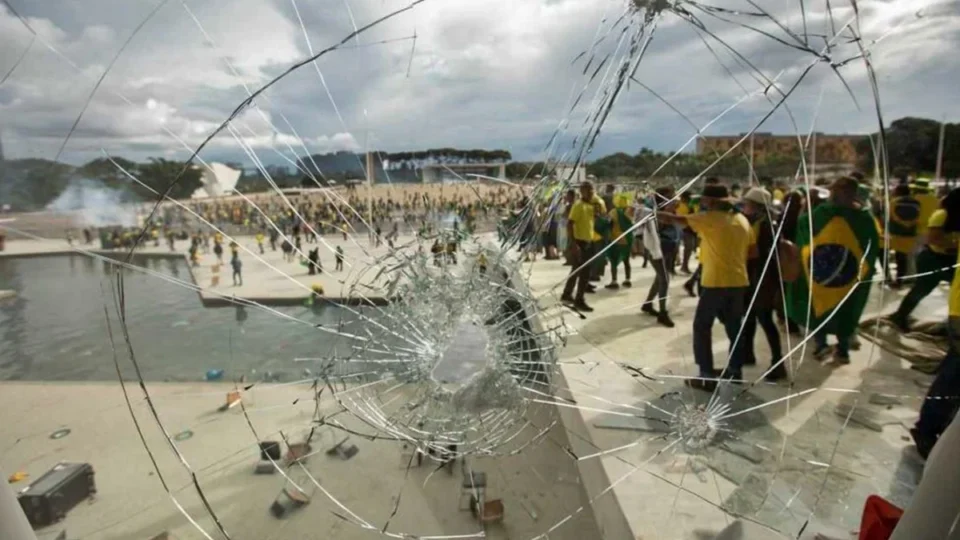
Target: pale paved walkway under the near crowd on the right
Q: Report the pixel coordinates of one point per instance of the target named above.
(779, 464)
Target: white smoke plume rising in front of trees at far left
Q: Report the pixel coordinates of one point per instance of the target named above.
(95, 204)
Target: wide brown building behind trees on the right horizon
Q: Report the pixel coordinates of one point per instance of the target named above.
(831, 150)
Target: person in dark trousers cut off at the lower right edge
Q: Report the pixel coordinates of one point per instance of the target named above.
(939, 406)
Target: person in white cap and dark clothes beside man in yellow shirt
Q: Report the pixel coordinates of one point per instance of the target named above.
(764, 292)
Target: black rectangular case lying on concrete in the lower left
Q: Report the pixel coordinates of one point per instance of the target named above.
(50, 497)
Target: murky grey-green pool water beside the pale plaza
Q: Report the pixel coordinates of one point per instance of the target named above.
(56, 329)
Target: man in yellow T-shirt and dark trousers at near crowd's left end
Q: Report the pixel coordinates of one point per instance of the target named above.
(581, 230)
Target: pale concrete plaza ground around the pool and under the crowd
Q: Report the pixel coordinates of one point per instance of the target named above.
(810, 450)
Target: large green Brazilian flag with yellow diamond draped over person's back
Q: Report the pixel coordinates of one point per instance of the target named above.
(843, 251)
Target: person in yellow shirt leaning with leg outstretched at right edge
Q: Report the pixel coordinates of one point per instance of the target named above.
(935, 263)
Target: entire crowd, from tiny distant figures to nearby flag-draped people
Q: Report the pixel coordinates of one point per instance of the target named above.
(807, 257)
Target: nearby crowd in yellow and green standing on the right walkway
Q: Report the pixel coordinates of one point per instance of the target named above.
(806, 256)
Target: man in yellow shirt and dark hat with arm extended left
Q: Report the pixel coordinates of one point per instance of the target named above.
(726, 240)
